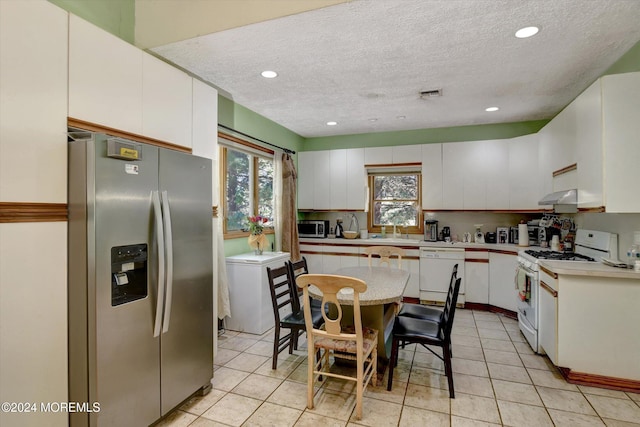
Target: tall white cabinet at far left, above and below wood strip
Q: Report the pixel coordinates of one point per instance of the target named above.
(33, 168)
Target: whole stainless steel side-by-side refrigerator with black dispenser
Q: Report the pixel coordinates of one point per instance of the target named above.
(140, 280)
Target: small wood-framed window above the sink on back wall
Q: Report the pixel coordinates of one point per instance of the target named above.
(394, 199)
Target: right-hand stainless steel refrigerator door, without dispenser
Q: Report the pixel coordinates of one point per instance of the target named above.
(187, 343)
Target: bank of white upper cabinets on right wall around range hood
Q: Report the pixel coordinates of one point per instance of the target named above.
(599, 132)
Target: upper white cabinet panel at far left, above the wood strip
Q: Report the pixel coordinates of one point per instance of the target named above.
(33, 102)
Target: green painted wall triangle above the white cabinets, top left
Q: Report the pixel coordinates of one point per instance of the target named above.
(115, 16)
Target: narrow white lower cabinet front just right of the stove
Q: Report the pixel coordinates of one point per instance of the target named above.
(548, 320)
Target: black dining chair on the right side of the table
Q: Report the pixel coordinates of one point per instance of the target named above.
(427, 333)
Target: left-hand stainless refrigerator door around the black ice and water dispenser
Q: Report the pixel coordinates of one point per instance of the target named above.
(126, 355)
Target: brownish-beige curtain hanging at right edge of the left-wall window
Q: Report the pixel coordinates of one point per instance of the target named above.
(290, 241)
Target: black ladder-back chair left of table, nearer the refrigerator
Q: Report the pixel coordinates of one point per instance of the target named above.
(284, 300)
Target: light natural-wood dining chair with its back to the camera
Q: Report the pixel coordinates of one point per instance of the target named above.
(351, 342)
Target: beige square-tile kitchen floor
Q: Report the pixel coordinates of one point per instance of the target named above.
(498, 380)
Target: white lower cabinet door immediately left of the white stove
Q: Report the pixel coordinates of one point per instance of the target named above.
(502, 291)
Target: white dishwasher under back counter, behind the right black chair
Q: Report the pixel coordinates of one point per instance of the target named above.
(436, 265)
